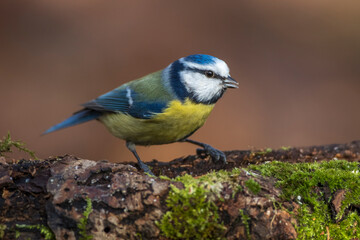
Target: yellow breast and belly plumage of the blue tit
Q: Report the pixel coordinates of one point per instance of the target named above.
(176, 122)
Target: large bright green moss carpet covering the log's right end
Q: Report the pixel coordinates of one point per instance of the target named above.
(304, 182)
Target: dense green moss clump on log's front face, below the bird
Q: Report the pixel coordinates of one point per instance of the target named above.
(191, 214)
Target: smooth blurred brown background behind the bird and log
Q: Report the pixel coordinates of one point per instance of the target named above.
(297, 63)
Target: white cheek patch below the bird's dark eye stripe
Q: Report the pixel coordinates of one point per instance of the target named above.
(204, 88)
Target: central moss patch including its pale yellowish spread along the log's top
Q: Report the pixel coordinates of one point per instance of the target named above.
(193, 213)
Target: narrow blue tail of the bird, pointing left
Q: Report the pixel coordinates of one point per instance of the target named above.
(78, 117)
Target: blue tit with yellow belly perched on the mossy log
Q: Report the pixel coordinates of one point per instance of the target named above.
(163, 107)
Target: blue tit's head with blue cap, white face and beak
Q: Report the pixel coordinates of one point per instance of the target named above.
(202, 78)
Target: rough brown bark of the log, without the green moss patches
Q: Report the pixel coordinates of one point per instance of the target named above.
(126, 204)
